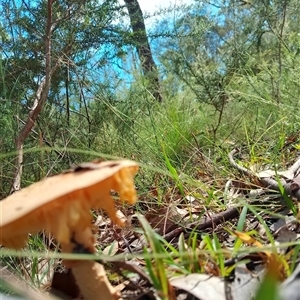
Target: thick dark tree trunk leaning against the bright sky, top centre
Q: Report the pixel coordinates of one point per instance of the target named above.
(143, 48)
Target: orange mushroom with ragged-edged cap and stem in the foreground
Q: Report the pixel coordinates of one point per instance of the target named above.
(61, 205)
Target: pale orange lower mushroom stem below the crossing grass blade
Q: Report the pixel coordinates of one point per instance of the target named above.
(92, 281)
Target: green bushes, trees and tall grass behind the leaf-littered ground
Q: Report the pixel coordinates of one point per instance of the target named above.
(228, 73)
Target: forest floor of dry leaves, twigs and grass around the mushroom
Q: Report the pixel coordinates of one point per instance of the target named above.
(232, 230)
